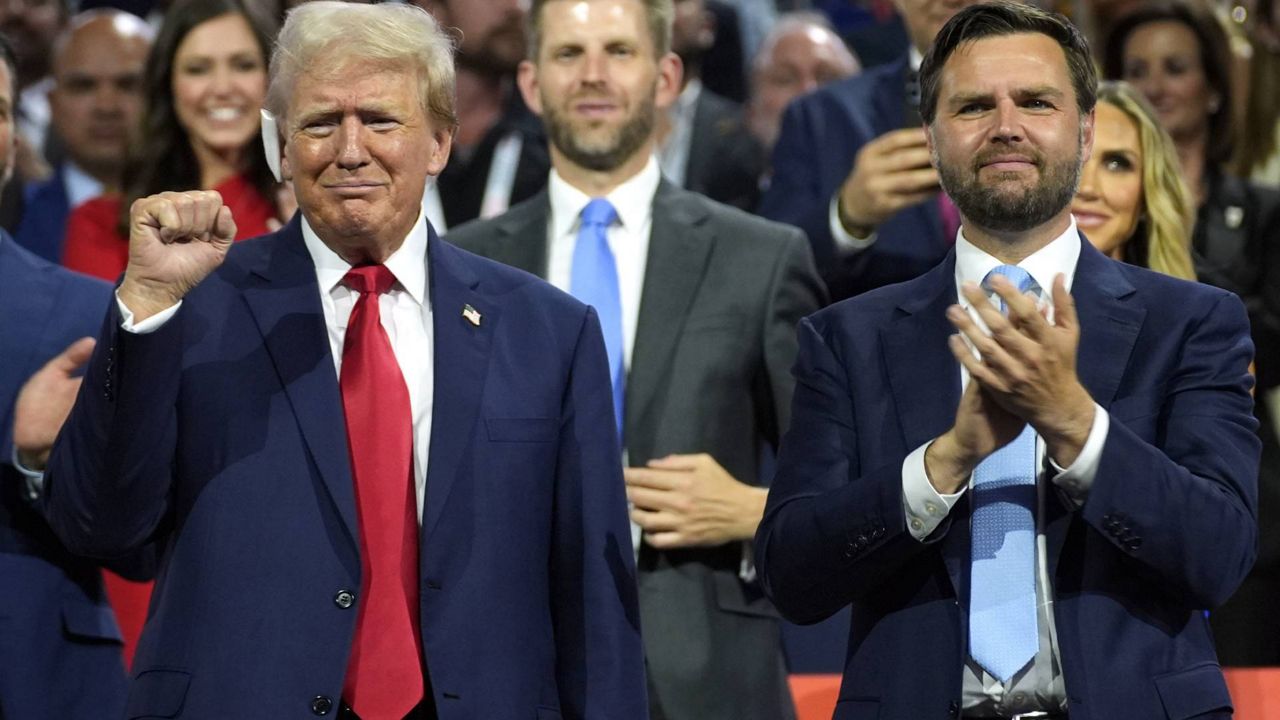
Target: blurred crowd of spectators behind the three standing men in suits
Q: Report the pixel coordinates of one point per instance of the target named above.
(801, 111)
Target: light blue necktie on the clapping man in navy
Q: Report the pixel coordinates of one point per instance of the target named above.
(1003, 634)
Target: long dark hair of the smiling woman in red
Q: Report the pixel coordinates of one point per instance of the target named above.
(163, 158)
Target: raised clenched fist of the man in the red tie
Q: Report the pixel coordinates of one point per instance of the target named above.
(176, 240)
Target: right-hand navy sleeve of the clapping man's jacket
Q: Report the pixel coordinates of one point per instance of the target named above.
(1186, 505)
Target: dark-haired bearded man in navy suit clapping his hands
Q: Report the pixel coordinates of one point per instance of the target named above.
(1028, 512)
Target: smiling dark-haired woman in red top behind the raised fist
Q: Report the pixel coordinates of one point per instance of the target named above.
(205, 84)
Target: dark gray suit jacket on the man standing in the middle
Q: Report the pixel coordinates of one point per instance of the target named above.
(723, 295)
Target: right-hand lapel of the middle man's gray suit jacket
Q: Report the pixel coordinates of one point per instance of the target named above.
(680, 247)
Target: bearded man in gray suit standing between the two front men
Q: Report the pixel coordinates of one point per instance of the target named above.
(700, 306)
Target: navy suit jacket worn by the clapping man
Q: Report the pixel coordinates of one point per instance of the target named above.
(1169, 527)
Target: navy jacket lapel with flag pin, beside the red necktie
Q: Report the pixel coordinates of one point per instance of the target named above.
(461, 367)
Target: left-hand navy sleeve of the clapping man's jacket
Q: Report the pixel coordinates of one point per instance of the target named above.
(833, 530)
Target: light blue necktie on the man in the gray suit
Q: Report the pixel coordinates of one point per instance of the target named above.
(595, 280)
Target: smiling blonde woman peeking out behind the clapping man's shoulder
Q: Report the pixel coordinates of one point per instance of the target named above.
(1132, 202)
